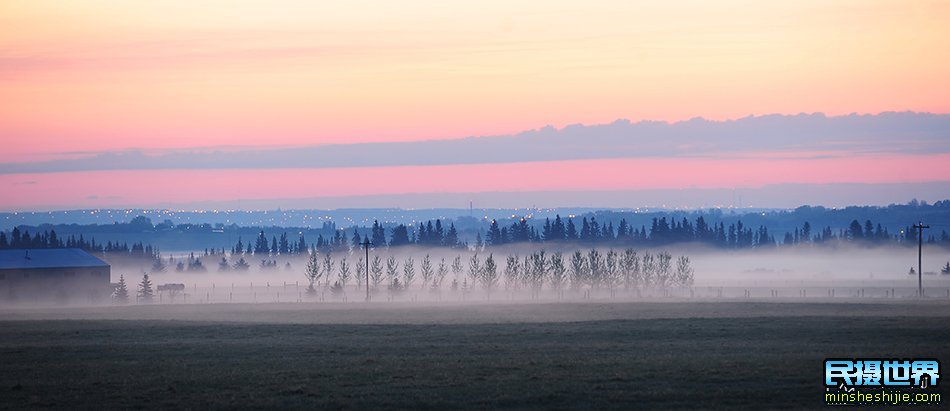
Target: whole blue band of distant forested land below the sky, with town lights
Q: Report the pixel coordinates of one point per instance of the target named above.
(140, 237)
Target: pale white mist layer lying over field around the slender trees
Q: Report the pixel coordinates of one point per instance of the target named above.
(878, 271)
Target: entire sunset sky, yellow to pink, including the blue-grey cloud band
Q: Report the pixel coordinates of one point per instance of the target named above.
(173, 103)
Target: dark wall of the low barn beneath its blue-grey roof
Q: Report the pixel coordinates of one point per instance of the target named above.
(64, 285)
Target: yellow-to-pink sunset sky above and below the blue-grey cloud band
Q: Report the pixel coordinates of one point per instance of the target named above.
(110, 75)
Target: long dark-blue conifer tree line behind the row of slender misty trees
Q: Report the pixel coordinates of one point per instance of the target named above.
(662, 231)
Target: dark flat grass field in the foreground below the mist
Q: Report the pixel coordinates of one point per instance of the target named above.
(562, 356)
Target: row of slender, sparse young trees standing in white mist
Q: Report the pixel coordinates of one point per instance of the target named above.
(592, 270)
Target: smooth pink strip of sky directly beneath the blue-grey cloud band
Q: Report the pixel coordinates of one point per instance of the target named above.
(145, 188)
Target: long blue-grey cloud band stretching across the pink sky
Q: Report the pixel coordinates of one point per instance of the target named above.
(811, 135)
